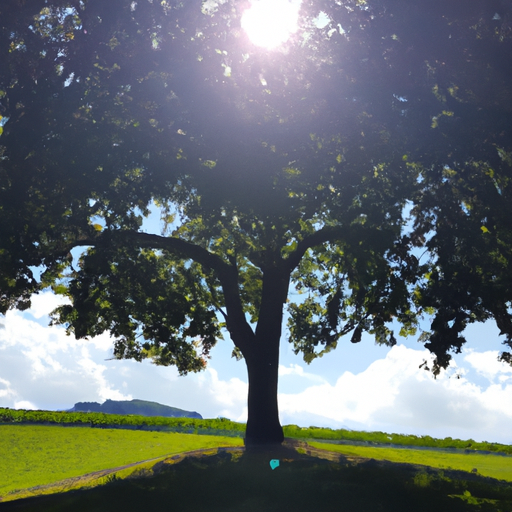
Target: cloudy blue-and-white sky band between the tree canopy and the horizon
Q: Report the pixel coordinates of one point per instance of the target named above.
(362, 387)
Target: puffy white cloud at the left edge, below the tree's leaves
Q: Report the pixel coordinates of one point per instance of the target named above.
(44, 366)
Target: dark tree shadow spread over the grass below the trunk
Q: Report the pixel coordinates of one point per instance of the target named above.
(238, 481)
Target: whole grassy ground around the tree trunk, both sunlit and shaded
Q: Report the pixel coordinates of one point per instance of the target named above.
(119, 469)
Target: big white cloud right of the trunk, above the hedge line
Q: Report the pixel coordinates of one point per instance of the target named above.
(394, 395)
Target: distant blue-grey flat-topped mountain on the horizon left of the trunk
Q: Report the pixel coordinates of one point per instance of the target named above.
(139, 407)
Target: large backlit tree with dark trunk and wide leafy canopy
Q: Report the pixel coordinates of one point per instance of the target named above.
(380, 131)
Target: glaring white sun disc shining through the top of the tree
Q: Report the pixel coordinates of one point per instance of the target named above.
(269, 23)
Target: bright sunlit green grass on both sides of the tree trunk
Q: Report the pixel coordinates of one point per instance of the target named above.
(33, 455)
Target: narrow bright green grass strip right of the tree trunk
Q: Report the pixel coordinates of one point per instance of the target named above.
(495, 466)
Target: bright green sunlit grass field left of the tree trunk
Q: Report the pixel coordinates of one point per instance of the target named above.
(33, 455)
